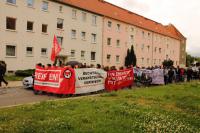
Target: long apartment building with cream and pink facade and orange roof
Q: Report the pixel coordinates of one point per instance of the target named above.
(90, 31)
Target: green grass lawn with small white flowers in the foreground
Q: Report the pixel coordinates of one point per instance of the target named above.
(172, 108)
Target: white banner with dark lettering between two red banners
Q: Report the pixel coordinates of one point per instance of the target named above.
(89, 80)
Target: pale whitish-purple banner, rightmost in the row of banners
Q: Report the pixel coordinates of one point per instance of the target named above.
(157, 76)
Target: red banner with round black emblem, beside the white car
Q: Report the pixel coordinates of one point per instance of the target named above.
(55, 80)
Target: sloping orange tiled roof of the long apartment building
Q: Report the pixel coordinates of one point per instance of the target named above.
(112, 11)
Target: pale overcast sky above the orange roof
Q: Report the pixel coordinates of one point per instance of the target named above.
(184, 14)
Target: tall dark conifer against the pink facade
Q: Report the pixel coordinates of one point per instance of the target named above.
(130, 57)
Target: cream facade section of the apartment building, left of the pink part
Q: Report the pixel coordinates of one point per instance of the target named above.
(27, 28)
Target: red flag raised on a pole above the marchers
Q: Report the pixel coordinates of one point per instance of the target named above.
(56, 49)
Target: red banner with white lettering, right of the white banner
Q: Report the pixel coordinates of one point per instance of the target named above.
(119, 79)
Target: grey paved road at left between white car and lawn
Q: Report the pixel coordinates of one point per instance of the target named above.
(19, 95)
